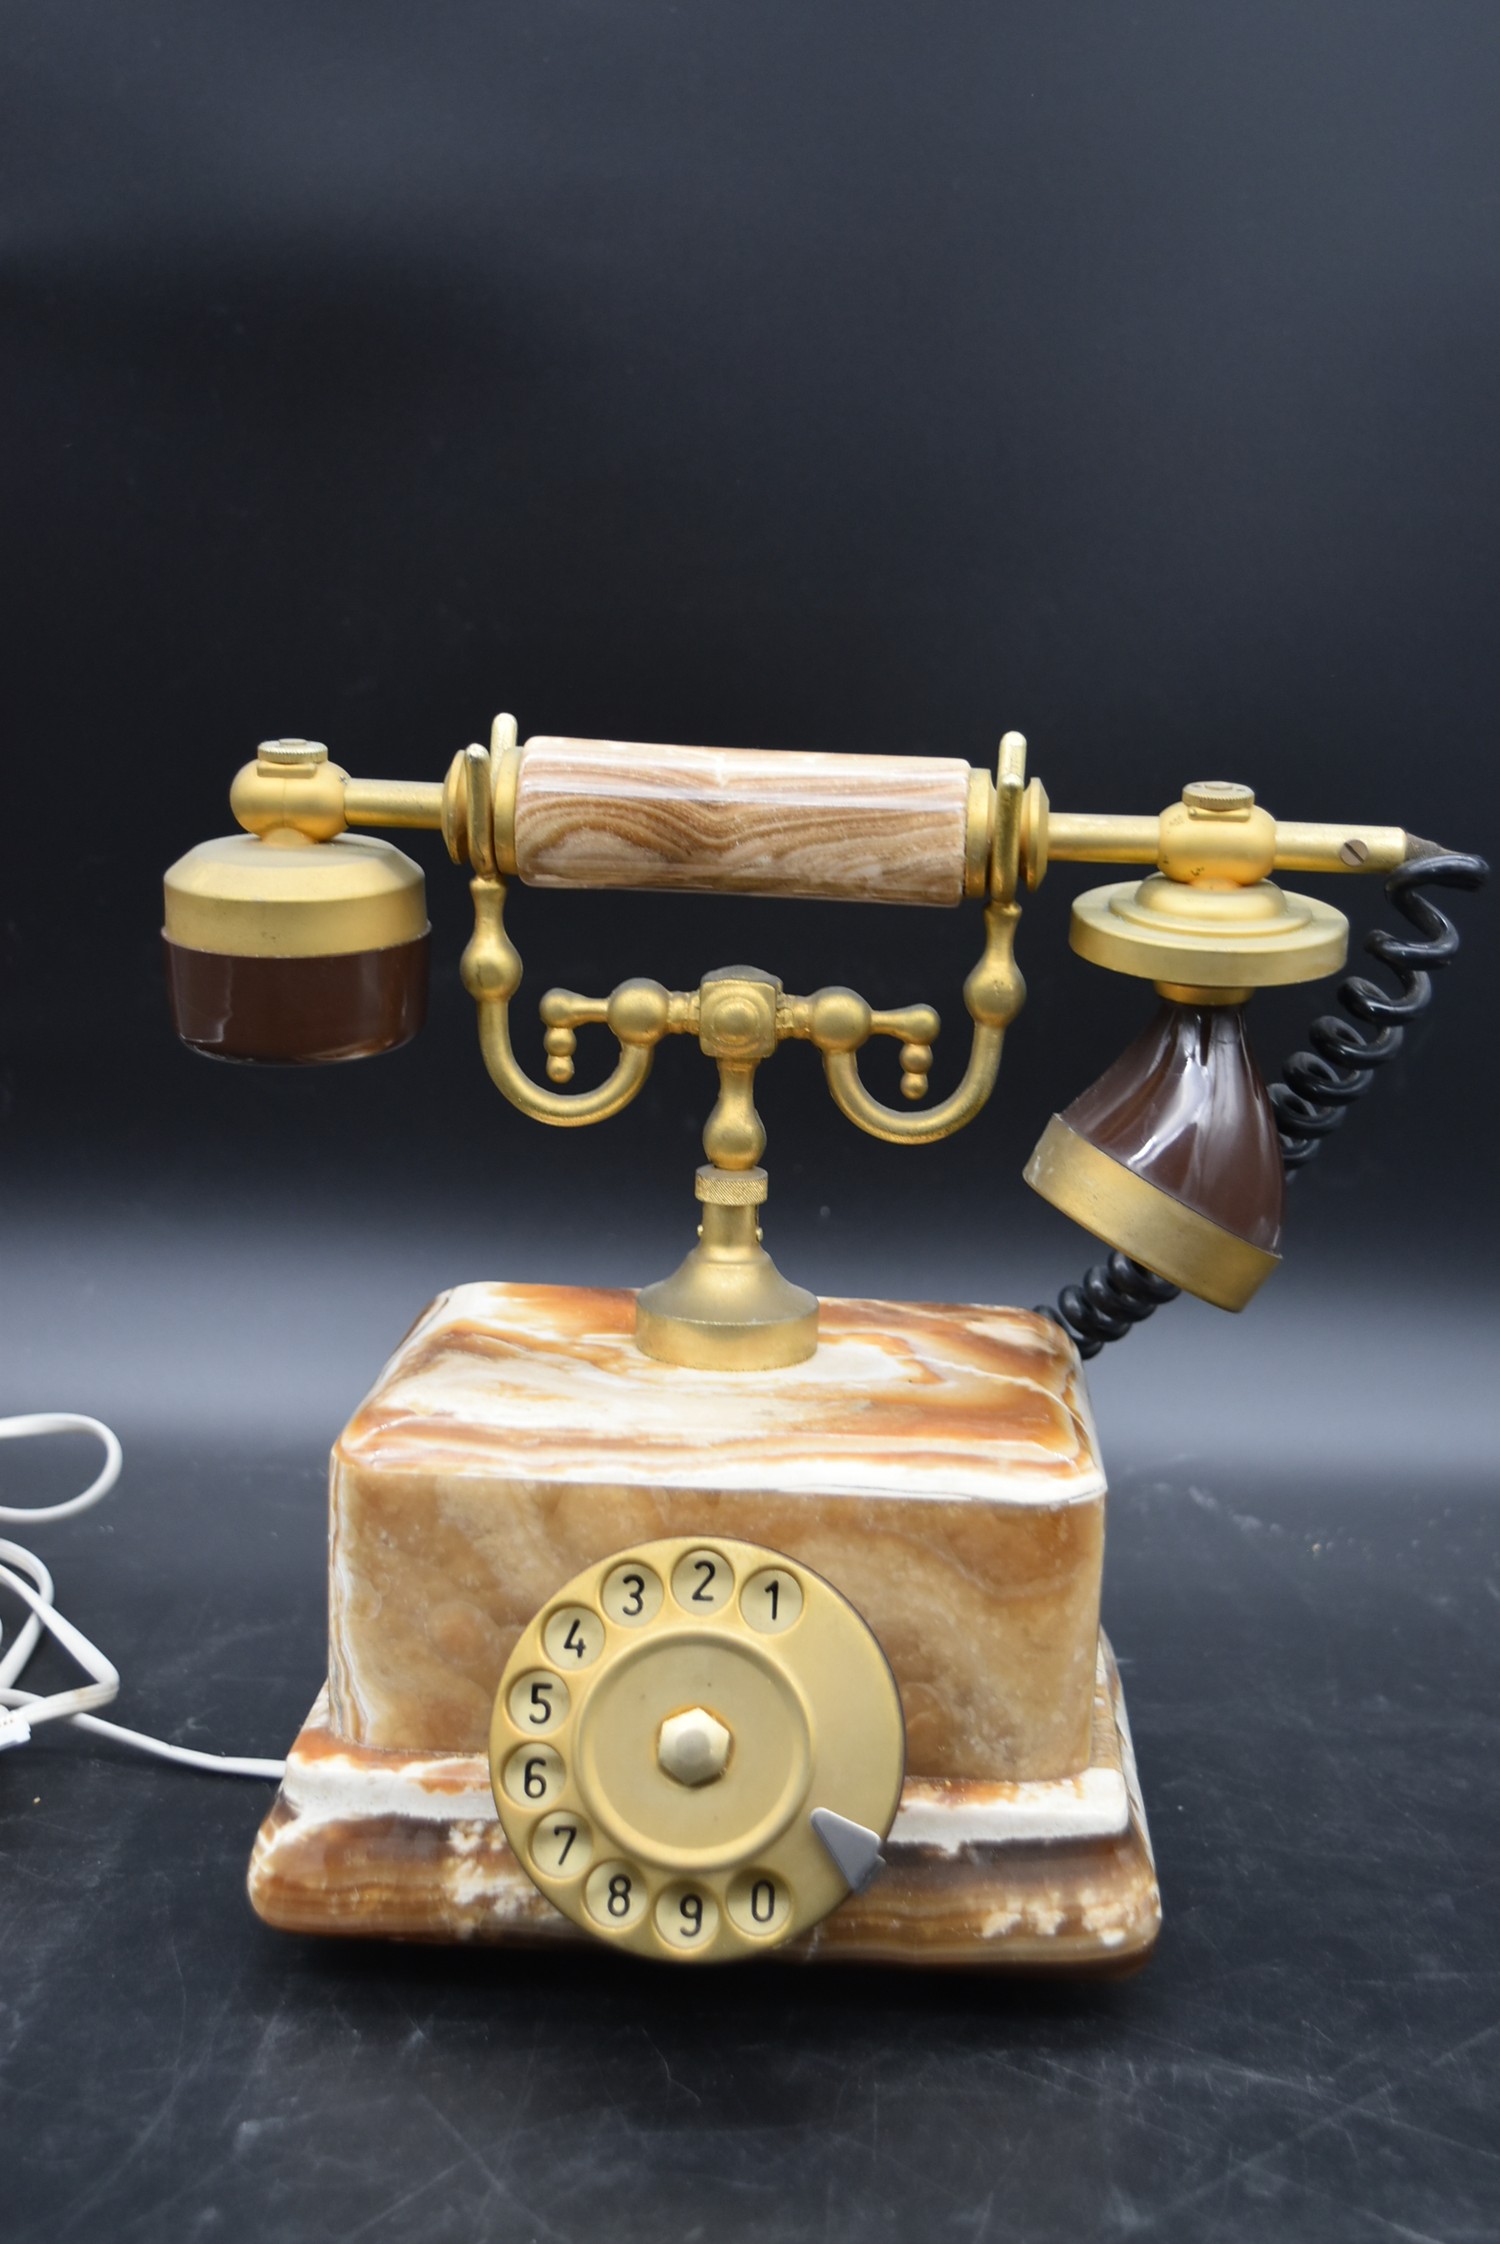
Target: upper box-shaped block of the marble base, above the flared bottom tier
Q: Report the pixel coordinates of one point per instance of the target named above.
(935, 1464)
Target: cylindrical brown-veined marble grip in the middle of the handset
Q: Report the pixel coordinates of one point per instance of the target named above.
(742, 822)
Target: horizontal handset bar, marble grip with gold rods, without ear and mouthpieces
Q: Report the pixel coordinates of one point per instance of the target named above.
(879, 829)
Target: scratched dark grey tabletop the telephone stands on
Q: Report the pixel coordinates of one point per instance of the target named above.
(1312, 2054)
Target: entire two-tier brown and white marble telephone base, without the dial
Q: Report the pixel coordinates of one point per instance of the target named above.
(933, 1462)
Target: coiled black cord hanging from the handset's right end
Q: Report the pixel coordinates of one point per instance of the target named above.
(1321, 1085)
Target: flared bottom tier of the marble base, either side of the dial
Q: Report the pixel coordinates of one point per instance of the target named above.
(1048, 1873)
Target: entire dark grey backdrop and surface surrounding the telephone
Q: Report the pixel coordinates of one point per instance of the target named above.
(857, 378)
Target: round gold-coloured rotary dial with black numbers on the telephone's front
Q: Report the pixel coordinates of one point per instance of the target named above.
(697, 1749)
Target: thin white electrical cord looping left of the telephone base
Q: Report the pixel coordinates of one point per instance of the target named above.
(21, 1711)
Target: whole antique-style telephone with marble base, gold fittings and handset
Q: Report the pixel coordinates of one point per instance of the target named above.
(722, 1617)
